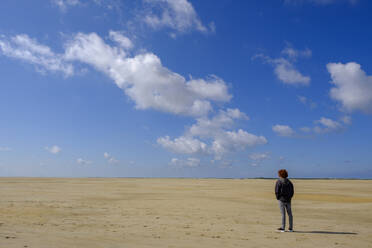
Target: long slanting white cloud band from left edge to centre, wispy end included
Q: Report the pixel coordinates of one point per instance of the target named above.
(143, 77)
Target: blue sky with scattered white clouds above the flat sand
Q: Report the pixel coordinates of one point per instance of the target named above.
(181, 88)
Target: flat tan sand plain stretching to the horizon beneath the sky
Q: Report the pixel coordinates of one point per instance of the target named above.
(110, 213)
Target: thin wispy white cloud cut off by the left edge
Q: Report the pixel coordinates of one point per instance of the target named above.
(29, 50)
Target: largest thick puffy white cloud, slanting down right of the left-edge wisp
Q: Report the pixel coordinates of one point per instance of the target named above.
(145, 80)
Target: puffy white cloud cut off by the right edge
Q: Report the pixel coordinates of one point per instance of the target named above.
(352, 87)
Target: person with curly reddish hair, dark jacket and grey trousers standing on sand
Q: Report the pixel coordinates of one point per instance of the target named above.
(284, 192)
